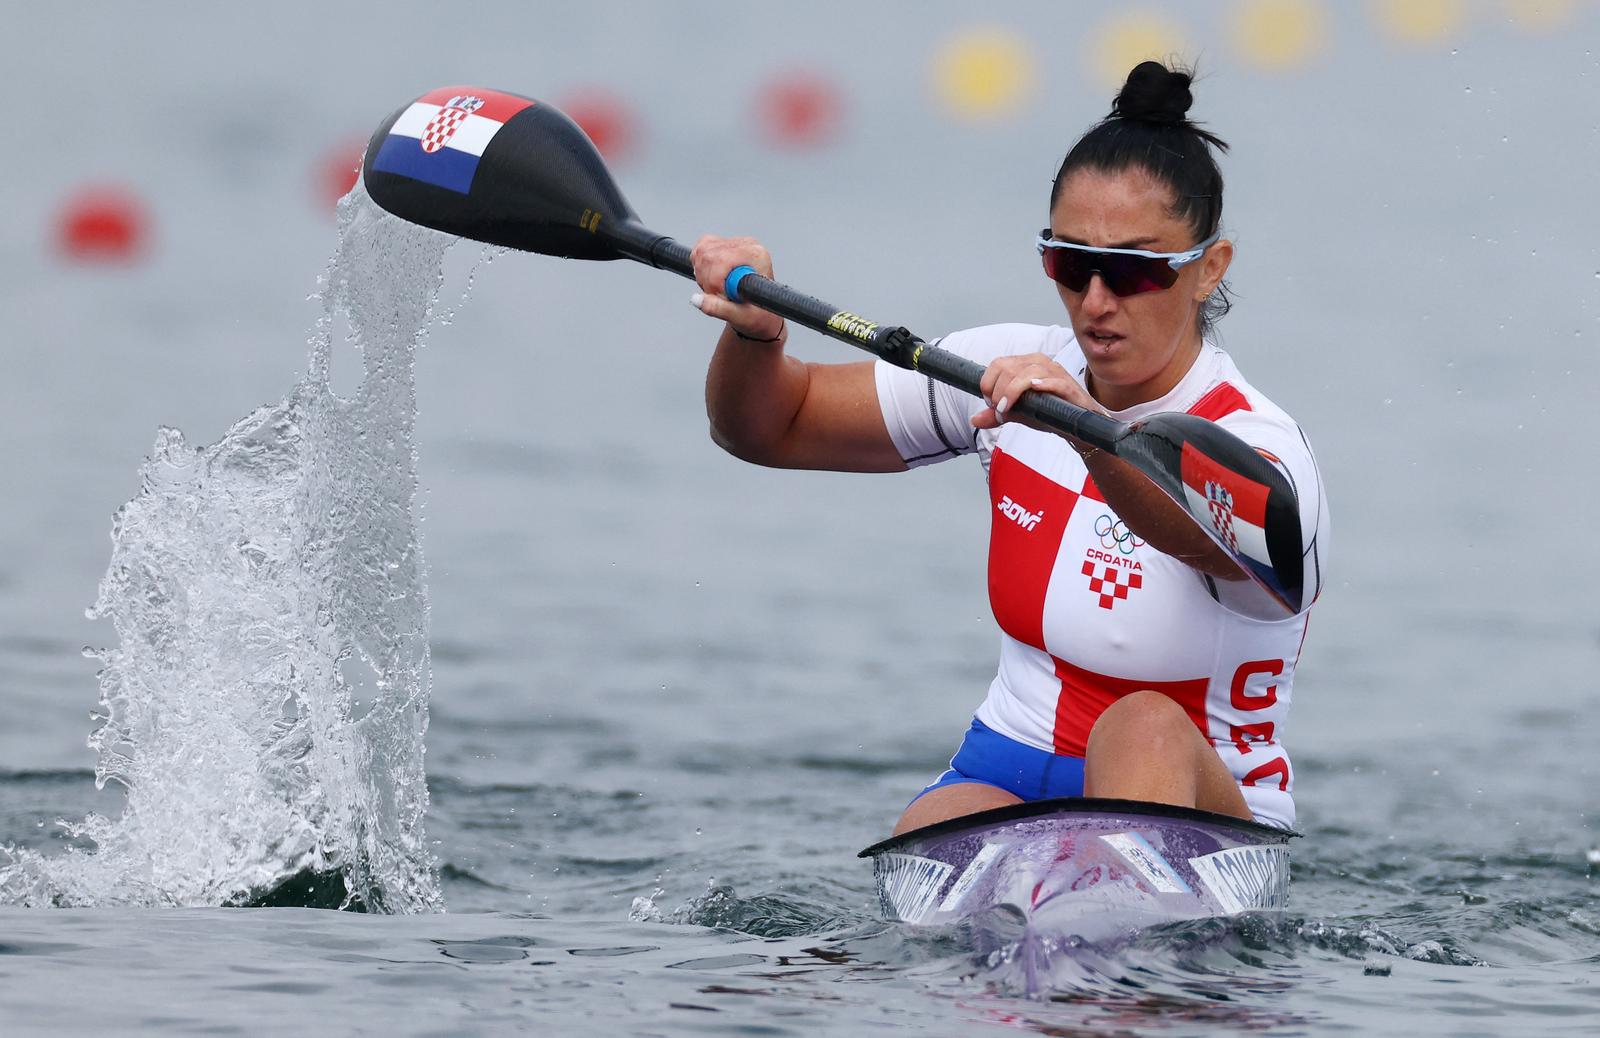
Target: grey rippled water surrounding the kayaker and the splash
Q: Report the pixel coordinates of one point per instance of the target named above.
(655, 669)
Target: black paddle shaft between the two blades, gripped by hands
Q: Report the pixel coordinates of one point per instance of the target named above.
(895, 345)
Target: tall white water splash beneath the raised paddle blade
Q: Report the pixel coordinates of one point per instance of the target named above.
(266, 703)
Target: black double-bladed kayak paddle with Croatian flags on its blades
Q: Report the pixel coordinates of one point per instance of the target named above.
(514, 172)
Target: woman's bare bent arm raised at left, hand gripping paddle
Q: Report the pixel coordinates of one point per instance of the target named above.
(775, 410)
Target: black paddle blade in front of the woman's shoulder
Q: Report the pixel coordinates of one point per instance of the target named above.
(1233, 493)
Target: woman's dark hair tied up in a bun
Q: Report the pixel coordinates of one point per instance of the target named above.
(1150, 130)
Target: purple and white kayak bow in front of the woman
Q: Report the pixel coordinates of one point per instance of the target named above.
(1031, 880)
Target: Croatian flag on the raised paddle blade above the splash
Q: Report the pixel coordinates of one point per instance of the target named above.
(442, 137)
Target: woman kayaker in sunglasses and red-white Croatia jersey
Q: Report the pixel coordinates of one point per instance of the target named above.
(1137, 658)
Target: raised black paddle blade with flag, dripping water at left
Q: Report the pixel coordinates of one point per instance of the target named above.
(498, 169)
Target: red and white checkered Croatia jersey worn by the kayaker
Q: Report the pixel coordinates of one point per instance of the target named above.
(1089, 612)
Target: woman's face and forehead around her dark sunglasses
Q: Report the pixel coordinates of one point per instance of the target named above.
(1138, 348)
